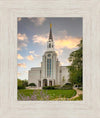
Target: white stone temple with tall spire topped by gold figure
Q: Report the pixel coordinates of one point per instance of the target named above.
(51, 72)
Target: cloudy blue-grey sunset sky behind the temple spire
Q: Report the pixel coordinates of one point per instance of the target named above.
(32, 37)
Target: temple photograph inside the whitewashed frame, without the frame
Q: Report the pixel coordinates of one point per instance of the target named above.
(50, 65)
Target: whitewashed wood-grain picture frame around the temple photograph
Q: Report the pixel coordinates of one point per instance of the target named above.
(90, 106)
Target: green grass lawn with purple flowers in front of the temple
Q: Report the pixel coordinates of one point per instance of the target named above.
(26, 94)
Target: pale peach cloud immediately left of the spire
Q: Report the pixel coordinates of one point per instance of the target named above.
(40, 39)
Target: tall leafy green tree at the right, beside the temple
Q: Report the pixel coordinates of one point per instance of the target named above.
(75, 70)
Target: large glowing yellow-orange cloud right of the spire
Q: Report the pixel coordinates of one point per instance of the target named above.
(67, 42)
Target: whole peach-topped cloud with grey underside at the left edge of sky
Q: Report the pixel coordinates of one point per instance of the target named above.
(22, 40)
